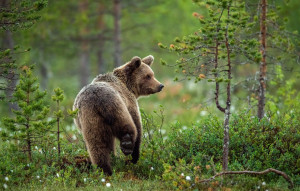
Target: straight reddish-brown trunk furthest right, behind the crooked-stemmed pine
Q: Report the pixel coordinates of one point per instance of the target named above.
(263, 64)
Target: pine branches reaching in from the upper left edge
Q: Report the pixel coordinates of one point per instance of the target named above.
(14, 16)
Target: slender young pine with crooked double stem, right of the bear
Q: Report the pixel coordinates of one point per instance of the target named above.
(212, 52)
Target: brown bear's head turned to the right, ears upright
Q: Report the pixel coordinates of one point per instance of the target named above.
(139, 77)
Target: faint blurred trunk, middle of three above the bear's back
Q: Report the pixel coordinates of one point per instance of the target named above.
(101, 27)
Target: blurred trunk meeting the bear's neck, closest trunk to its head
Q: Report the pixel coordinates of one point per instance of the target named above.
(117, 33)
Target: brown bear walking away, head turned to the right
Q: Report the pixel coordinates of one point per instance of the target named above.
(108, 109)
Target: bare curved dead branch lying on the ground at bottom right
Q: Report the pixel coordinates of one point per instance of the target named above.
(285, 176)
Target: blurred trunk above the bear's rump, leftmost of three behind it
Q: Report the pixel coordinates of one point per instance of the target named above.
(84, 69)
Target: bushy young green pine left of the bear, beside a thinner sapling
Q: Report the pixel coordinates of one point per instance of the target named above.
(31, 122)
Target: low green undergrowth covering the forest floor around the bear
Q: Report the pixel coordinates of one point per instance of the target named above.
(179, 158)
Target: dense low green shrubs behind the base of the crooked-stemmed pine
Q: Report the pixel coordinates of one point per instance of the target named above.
(254, 145)
